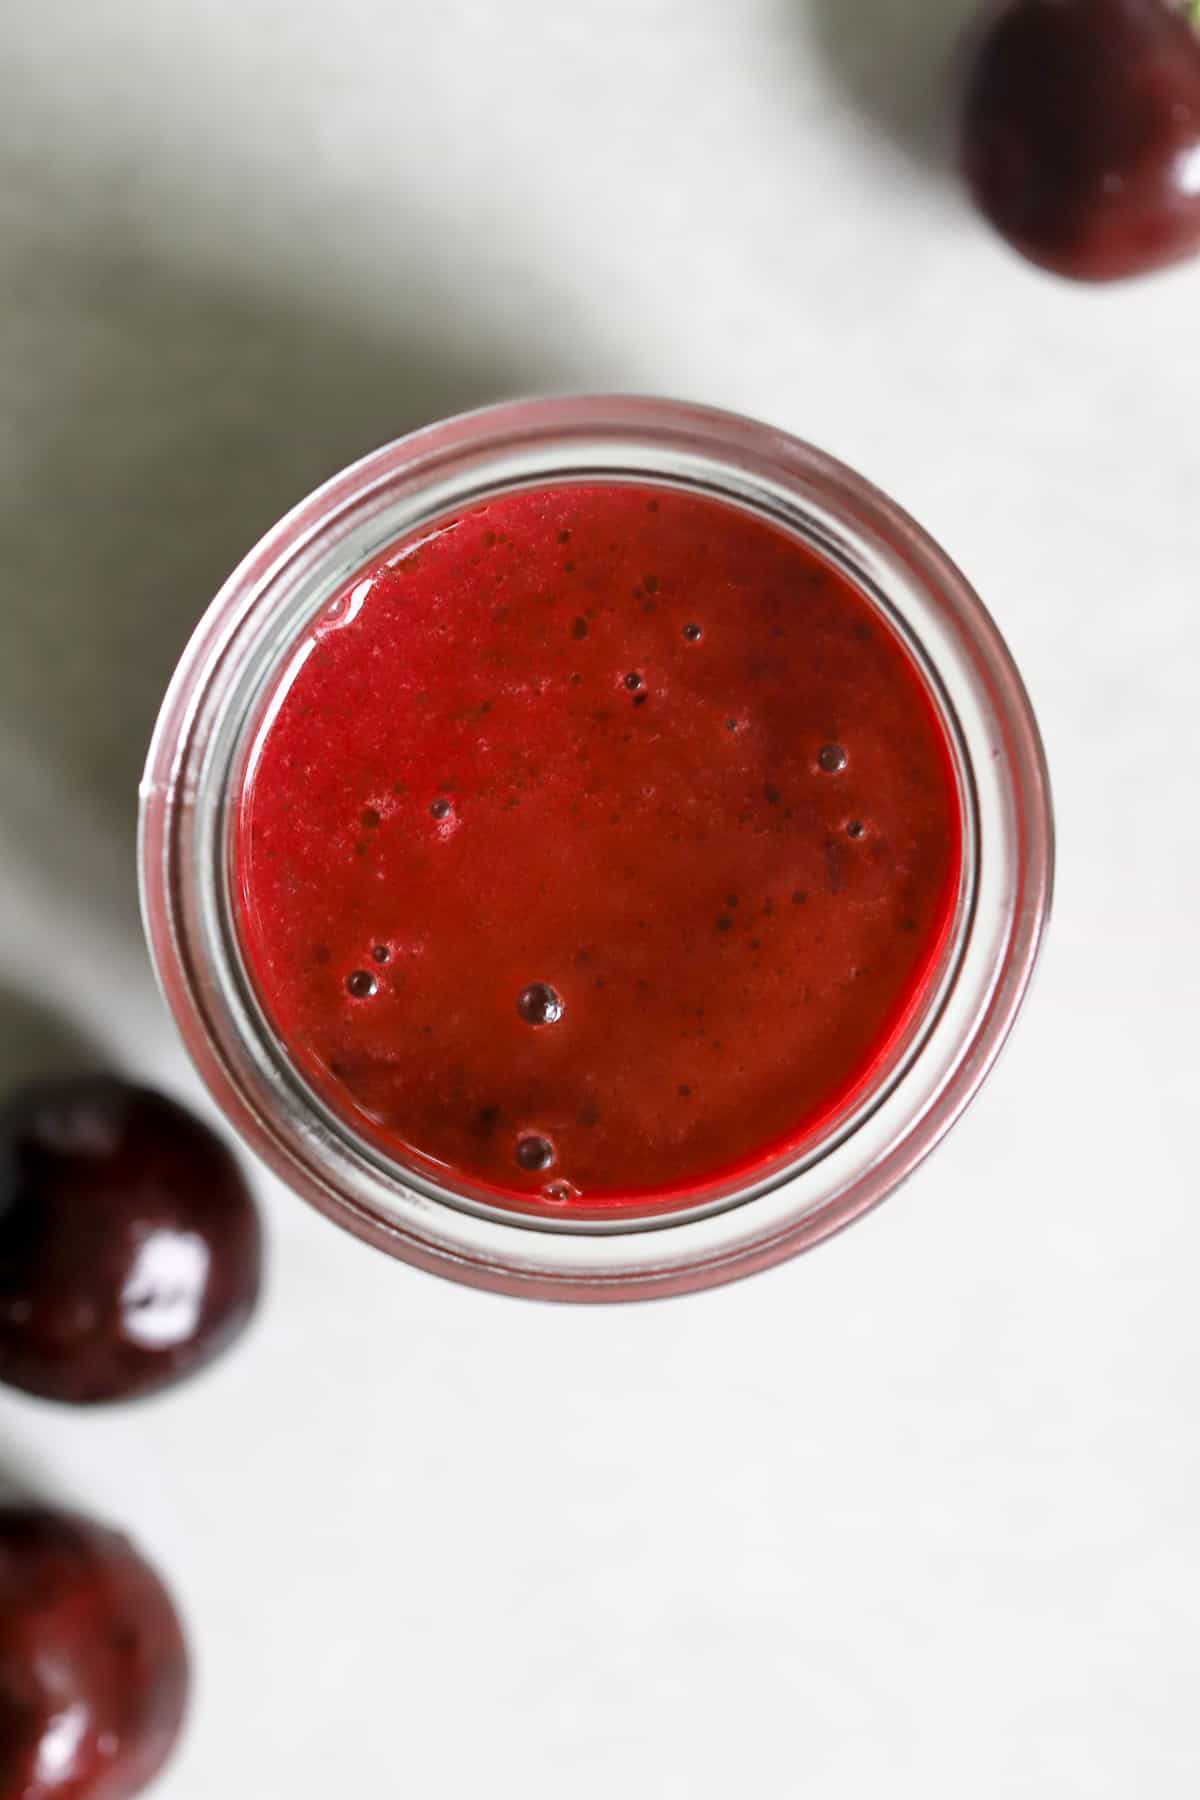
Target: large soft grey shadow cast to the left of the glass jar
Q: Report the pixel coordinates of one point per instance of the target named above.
(165, 418)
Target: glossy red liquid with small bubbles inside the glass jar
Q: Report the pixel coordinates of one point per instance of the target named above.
(568, 753)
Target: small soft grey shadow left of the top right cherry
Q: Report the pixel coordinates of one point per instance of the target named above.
(897, 64)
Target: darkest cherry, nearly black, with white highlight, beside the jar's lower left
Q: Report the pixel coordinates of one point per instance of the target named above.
(130, 1248)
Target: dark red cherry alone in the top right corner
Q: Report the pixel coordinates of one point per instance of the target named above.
(1080, 132)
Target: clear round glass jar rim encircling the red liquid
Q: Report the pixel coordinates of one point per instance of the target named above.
(931, 1072)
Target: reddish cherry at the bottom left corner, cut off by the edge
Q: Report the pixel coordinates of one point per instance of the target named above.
(93, 1660)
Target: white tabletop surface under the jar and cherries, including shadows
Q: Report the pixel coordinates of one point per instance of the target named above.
(917, 1515)
